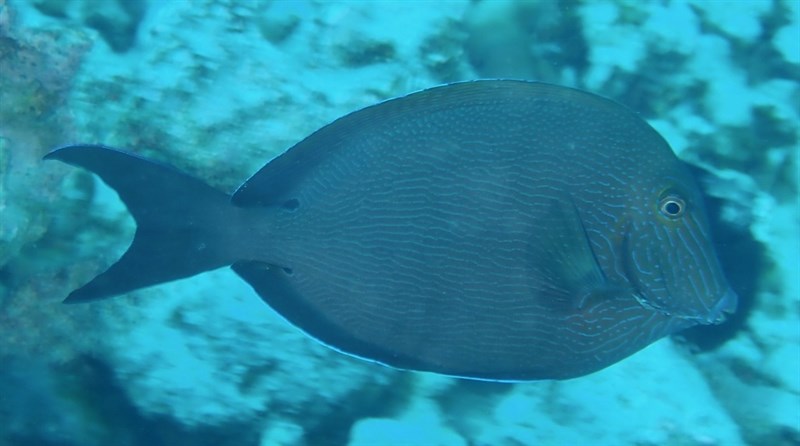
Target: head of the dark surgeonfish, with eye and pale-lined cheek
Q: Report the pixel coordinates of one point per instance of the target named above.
(668, 255)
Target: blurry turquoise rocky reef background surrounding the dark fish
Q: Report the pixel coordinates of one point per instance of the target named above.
(219, 87)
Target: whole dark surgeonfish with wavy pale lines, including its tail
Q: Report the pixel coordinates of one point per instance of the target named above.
(500, 230)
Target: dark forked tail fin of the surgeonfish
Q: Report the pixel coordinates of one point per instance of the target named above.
(181, 221)
